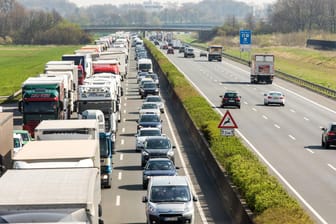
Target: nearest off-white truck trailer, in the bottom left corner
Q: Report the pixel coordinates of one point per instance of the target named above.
(51, 196)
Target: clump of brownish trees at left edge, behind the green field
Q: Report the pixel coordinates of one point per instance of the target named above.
(19, 25)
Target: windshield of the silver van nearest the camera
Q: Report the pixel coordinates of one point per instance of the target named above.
(170, 194)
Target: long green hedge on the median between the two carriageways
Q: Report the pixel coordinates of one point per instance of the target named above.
(264, 194)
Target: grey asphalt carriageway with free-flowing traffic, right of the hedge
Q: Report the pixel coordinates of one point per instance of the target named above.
(287, 139)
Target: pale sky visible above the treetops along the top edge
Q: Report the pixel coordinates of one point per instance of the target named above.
(116, 2)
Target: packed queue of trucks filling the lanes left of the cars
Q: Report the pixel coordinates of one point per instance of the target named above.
(72, 110)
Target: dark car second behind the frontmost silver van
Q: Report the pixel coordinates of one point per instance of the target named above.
(157, 147)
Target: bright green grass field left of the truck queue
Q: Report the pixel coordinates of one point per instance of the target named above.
(20, 62)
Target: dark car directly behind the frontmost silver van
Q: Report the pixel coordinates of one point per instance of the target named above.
(158, 167)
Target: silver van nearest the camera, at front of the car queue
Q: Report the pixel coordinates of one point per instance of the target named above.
(169, 199)
